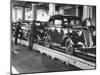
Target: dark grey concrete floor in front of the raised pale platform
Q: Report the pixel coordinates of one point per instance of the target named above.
(29, 61)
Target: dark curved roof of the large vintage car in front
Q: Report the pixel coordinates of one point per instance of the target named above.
(64, 16)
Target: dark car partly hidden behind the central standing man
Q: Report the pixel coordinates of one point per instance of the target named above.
(40, 26)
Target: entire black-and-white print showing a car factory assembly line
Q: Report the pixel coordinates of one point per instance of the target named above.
(52, 37)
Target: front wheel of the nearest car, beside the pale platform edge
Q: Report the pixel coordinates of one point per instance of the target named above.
(69, 46)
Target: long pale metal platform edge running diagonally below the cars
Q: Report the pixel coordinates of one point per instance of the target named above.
(68, 59)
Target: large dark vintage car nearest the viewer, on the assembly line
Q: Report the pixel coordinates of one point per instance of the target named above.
(70, 33)
